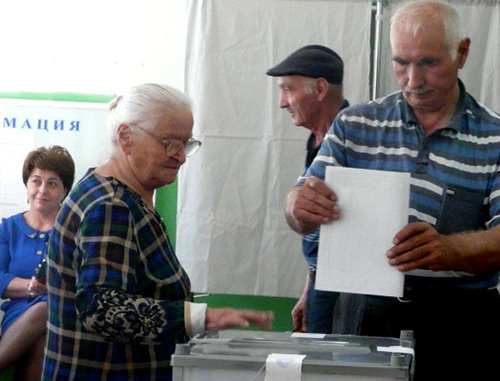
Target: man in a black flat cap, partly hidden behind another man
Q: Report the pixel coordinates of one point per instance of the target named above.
(310, 82)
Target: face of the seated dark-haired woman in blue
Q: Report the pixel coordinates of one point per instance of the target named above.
(45, 190)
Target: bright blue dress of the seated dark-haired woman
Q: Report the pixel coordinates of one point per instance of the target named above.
(22, 248)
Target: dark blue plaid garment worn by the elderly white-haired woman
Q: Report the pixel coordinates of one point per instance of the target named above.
(116, 288)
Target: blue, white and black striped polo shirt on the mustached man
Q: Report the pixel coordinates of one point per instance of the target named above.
(455, 181)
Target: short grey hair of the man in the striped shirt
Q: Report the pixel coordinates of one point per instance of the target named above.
(412, 15)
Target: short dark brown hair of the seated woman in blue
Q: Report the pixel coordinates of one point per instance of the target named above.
(56, 159)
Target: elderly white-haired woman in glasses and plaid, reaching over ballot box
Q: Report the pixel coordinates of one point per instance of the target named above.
(119, 300)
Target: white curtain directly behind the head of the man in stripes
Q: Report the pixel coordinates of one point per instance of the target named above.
(481, 74)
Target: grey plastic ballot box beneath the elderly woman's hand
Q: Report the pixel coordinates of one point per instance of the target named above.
(243, 355)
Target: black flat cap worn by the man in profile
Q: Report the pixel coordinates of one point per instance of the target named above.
(312, 61)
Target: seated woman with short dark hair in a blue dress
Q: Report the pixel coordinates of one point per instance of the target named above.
(48, 176)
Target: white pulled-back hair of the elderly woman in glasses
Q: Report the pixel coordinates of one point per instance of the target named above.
(143, 105)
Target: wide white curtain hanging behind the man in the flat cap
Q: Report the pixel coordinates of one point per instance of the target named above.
(231, 233)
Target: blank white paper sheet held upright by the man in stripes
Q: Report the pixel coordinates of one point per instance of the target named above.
(373, 207)
